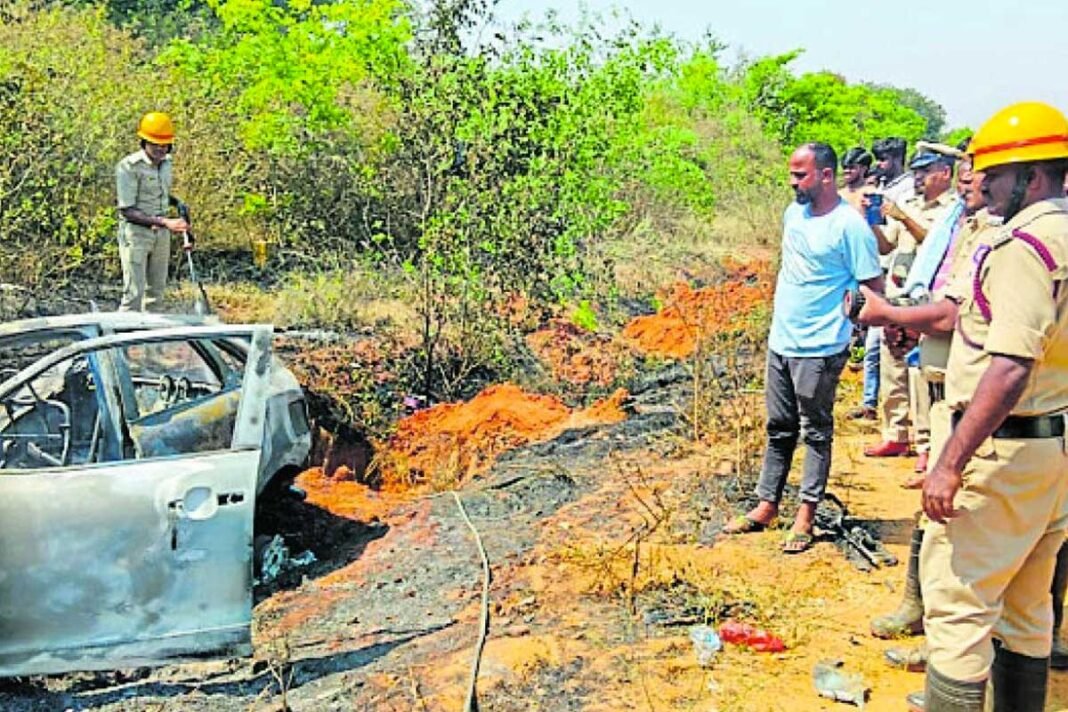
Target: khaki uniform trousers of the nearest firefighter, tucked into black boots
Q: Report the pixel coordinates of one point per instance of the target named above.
(986, 574)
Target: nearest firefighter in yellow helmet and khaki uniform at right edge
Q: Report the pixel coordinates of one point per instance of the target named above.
(998, 497)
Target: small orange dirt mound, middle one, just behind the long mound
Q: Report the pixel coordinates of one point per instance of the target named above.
(576, 356)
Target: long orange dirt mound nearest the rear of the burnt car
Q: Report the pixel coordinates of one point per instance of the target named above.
(452, 441)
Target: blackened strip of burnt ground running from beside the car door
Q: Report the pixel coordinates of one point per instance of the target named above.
(323, 630)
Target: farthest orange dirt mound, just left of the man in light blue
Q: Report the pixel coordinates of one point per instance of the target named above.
(690, 314)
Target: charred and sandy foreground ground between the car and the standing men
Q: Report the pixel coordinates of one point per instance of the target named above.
(604, 550)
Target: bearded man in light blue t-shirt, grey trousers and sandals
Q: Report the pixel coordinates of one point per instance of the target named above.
(827, 249)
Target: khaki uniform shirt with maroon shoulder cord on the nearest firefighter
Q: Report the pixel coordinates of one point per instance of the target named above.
(1029, 320)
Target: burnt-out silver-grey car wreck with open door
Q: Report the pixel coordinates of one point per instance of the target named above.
(133, 450)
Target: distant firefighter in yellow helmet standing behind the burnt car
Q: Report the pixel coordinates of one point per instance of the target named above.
(144, 181)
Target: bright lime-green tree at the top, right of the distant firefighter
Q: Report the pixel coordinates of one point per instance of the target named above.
(291, 66)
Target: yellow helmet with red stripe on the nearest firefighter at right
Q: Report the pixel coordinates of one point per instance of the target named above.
(1022, 133)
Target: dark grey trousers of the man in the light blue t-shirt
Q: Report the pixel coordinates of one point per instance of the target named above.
(799, 394)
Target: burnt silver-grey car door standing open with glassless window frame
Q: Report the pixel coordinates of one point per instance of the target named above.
(128, 563)
